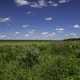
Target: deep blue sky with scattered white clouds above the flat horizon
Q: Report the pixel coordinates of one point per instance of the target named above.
(39, 19)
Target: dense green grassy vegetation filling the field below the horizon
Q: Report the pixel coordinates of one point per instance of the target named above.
(40, 60)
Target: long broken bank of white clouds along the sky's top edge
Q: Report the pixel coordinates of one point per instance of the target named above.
(40, 3)
